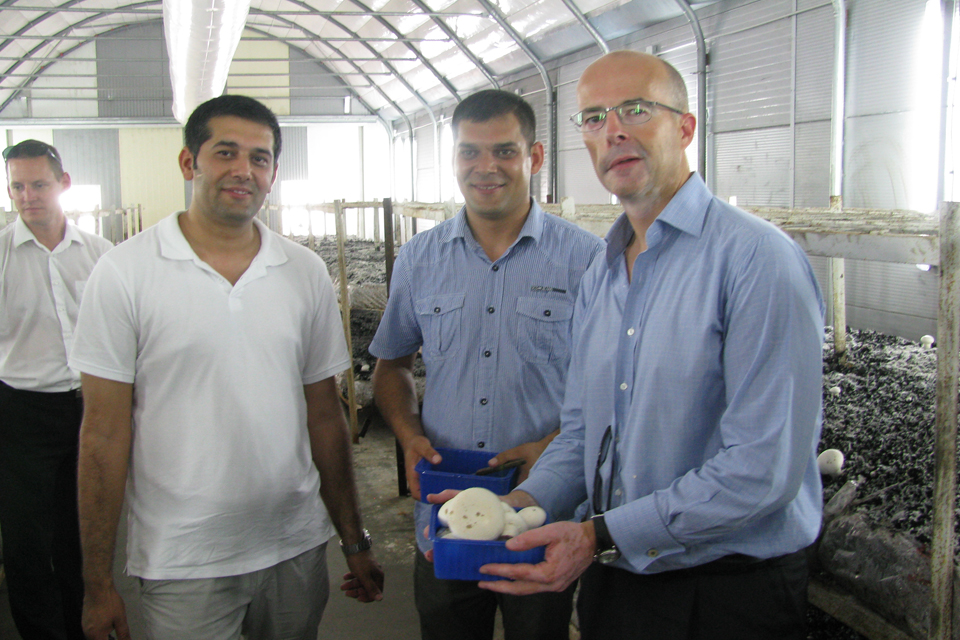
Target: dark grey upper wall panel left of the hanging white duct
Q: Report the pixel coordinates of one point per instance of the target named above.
(134, 74)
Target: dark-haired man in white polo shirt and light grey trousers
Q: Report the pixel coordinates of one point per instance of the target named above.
(208, 355)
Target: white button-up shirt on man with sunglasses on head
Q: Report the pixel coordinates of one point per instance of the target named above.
(40, 293)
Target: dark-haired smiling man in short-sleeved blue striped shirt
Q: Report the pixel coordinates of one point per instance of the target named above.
(488, 296)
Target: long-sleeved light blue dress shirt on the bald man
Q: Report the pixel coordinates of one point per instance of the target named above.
(708, 368)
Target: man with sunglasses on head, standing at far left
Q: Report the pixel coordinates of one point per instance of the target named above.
(44, 265)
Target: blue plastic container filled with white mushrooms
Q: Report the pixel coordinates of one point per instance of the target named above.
(455, 559)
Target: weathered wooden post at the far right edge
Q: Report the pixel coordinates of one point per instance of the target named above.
(945, 443)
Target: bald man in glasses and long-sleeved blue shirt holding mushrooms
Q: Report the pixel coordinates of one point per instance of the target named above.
(693, 404)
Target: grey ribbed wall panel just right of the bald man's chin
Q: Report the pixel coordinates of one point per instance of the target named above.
(754, 166)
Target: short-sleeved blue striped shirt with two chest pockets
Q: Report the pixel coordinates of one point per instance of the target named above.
(495, 335)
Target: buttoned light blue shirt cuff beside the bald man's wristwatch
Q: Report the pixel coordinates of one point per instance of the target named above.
(640, 534)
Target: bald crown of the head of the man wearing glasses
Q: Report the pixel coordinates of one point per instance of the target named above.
(630, 64)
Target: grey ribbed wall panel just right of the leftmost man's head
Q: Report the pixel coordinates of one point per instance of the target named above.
(92, 157)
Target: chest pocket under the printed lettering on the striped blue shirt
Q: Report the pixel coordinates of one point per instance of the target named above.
(543, 329)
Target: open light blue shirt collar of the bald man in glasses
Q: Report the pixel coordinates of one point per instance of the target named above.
(686, 212)
